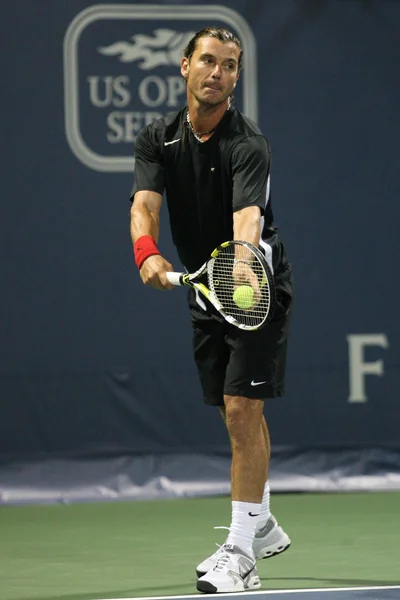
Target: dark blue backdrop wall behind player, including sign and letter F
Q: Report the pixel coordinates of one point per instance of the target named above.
(96, 366)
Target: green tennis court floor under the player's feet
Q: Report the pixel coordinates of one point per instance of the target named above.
(344, 547)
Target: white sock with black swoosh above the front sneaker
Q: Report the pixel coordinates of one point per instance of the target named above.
(243, 526)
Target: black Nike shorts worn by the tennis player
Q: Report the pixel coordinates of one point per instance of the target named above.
(241, 363)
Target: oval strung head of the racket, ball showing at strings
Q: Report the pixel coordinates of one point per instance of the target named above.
(239, 282)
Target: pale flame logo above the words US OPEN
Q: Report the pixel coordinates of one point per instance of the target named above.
(164, 48)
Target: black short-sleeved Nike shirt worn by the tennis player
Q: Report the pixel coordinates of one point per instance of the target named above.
(206, 182)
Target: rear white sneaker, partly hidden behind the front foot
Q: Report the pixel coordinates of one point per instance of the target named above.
(271, 540)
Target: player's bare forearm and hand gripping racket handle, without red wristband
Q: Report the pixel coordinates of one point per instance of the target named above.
(145, 221)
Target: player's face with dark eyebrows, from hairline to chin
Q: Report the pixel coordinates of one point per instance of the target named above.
(212, 72)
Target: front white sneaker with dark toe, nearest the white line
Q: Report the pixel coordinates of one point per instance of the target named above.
(234, 571)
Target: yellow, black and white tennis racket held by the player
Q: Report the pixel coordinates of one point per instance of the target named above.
(238, 282)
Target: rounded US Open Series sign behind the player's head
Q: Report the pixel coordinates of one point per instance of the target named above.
(122, 71)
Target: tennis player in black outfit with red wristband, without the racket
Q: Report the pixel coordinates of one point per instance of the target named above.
(214, 165)
